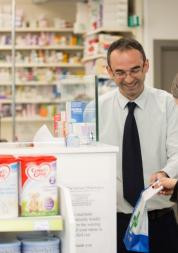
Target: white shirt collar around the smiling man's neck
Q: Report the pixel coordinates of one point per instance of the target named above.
(140, 101)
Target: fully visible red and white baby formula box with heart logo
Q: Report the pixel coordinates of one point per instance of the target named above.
(38, 186)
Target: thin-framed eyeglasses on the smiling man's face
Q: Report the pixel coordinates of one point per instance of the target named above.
(122, 74)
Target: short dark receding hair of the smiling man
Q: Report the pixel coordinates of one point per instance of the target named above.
(125, 44)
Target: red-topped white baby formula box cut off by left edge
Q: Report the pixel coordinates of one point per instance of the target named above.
(8, 187)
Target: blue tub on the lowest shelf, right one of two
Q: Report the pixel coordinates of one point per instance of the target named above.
(43, 245)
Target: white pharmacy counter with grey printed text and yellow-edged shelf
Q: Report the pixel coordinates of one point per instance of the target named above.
(86, 178)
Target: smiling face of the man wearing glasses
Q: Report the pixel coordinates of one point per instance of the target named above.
(128, 70)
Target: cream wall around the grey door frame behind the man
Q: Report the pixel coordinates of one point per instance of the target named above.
(160, 22)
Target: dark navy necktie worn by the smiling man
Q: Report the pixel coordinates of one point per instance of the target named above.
(132, 169)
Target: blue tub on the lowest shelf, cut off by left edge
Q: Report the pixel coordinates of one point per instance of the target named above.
(11, 246)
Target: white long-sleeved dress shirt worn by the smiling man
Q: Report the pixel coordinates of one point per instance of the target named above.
(156, 115)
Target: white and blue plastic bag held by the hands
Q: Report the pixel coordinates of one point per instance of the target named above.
(137, 237)
